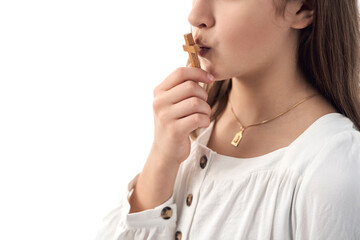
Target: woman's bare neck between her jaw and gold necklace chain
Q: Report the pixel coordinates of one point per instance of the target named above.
(266, 95)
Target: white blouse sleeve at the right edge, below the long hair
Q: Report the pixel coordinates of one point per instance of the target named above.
(328, 201)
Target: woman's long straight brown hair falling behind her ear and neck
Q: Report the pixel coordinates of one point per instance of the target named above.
(328, 55)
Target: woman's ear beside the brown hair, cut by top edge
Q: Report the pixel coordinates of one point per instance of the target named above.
(302, 13)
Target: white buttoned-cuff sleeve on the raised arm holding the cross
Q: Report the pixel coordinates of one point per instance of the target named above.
(158, 223)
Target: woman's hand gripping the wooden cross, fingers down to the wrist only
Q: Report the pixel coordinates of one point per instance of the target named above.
(179, 108)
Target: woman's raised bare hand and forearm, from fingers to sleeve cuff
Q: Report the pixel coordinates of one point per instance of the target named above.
(179, 108)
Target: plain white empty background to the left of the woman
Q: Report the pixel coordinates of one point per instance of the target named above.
(76, 82)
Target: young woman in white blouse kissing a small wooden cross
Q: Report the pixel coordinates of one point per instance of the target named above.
(275, 148)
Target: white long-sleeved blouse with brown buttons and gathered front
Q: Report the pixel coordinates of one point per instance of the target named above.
(308, 190)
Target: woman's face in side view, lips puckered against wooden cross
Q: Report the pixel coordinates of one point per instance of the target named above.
(245, 36)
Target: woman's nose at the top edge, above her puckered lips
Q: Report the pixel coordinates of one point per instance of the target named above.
(200, 15)
